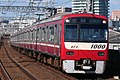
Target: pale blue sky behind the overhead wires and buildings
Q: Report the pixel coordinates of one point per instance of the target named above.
(114, 4)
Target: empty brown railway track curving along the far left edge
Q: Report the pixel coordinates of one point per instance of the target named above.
(12, 69)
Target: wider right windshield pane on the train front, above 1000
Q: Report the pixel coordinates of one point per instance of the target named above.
(93, 33)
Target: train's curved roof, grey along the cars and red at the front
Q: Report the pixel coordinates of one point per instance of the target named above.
(59, 17)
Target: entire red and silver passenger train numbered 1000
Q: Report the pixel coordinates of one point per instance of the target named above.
(76, 43)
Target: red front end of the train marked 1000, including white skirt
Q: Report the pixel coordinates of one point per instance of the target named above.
(84, 44)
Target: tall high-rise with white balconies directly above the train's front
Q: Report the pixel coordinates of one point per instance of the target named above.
(91, 6)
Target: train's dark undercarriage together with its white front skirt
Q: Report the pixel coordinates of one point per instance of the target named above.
(84, 66)
